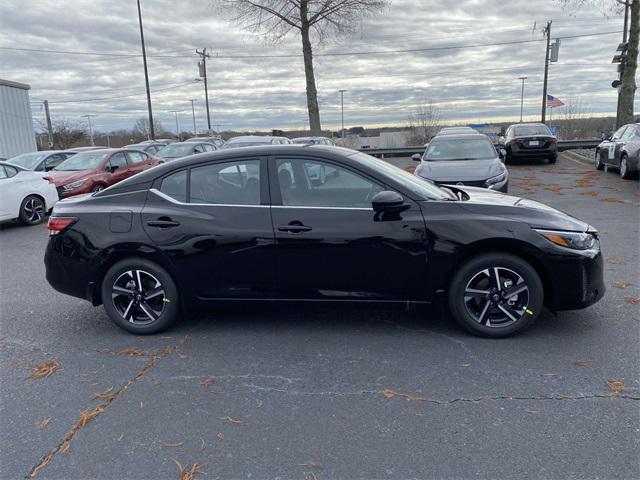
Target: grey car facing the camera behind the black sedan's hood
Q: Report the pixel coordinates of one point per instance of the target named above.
(463, 159)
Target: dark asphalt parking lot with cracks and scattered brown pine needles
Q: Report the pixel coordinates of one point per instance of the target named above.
(281, 392)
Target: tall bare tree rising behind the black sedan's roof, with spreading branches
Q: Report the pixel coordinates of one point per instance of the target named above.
(311, 18)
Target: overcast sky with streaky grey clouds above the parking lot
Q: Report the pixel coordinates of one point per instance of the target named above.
(255, 85)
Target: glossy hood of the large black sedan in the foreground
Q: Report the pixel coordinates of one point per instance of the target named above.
(538, 215)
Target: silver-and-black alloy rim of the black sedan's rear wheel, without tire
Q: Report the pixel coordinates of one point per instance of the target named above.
(138, 297)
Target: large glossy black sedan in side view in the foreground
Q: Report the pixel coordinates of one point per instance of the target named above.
(248, 224)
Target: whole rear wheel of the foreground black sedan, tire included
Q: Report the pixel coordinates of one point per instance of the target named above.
(134, 311)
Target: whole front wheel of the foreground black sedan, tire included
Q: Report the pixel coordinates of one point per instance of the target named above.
(480, 310)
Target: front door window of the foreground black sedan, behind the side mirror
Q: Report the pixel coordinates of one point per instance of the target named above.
(313, 183)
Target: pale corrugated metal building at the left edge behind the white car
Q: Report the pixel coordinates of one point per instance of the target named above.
(16, 123)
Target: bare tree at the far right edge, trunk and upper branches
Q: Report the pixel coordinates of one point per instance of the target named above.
(628, 88)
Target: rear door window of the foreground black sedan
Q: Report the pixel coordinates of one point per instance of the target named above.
(230, 183)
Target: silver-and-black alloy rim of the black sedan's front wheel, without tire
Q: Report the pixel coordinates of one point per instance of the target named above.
(496, 297)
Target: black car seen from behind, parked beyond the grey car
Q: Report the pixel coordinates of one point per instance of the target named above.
(529, 140)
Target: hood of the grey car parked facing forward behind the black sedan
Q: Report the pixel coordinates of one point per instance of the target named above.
(460, 170)
